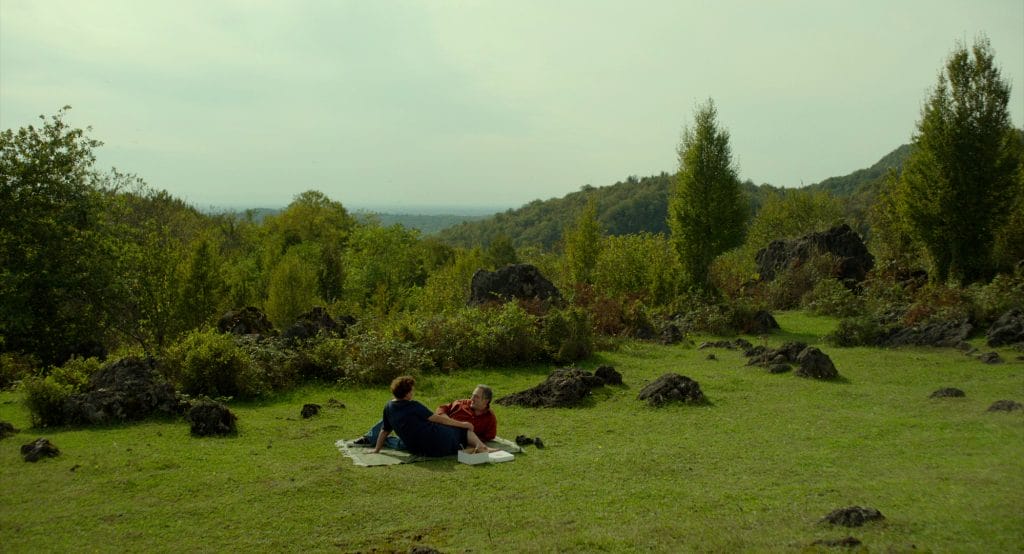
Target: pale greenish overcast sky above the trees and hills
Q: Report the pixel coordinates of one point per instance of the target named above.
(481, 103)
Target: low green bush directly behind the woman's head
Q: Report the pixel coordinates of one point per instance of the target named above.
(374, 359)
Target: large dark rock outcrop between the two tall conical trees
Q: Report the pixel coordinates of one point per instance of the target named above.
(855, 260)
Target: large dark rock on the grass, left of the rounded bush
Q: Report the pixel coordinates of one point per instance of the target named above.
(129, 390)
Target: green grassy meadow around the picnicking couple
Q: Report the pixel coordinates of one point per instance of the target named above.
(752, 472)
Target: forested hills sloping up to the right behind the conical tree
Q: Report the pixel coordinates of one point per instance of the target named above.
(642, 204)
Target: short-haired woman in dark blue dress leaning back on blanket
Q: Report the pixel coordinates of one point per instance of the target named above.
(423, 432)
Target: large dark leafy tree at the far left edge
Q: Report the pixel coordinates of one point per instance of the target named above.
(52, 262)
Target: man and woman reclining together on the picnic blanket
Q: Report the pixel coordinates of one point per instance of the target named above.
(467, 423)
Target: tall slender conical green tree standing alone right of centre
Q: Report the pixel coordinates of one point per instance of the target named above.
(707, 210)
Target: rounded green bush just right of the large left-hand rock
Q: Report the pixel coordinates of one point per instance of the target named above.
(207, 363)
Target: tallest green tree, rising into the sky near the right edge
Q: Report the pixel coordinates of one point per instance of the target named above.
(963, 172)
